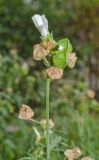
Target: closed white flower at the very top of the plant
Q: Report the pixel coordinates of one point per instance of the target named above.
(41, 24)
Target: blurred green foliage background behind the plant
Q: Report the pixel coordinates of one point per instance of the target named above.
(73, 107)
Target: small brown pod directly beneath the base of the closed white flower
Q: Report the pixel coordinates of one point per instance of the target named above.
(49, 44)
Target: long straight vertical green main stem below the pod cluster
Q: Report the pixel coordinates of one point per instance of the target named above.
(47, 118)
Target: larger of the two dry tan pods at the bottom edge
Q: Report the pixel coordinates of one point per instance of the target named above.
(72, 154)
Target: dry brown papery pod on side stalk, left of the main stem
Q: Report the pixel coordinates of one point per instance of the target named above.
(25, 112)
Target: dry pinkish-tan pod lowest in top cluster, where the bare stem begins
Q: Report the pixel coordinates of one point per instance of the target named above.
(54, 73)
